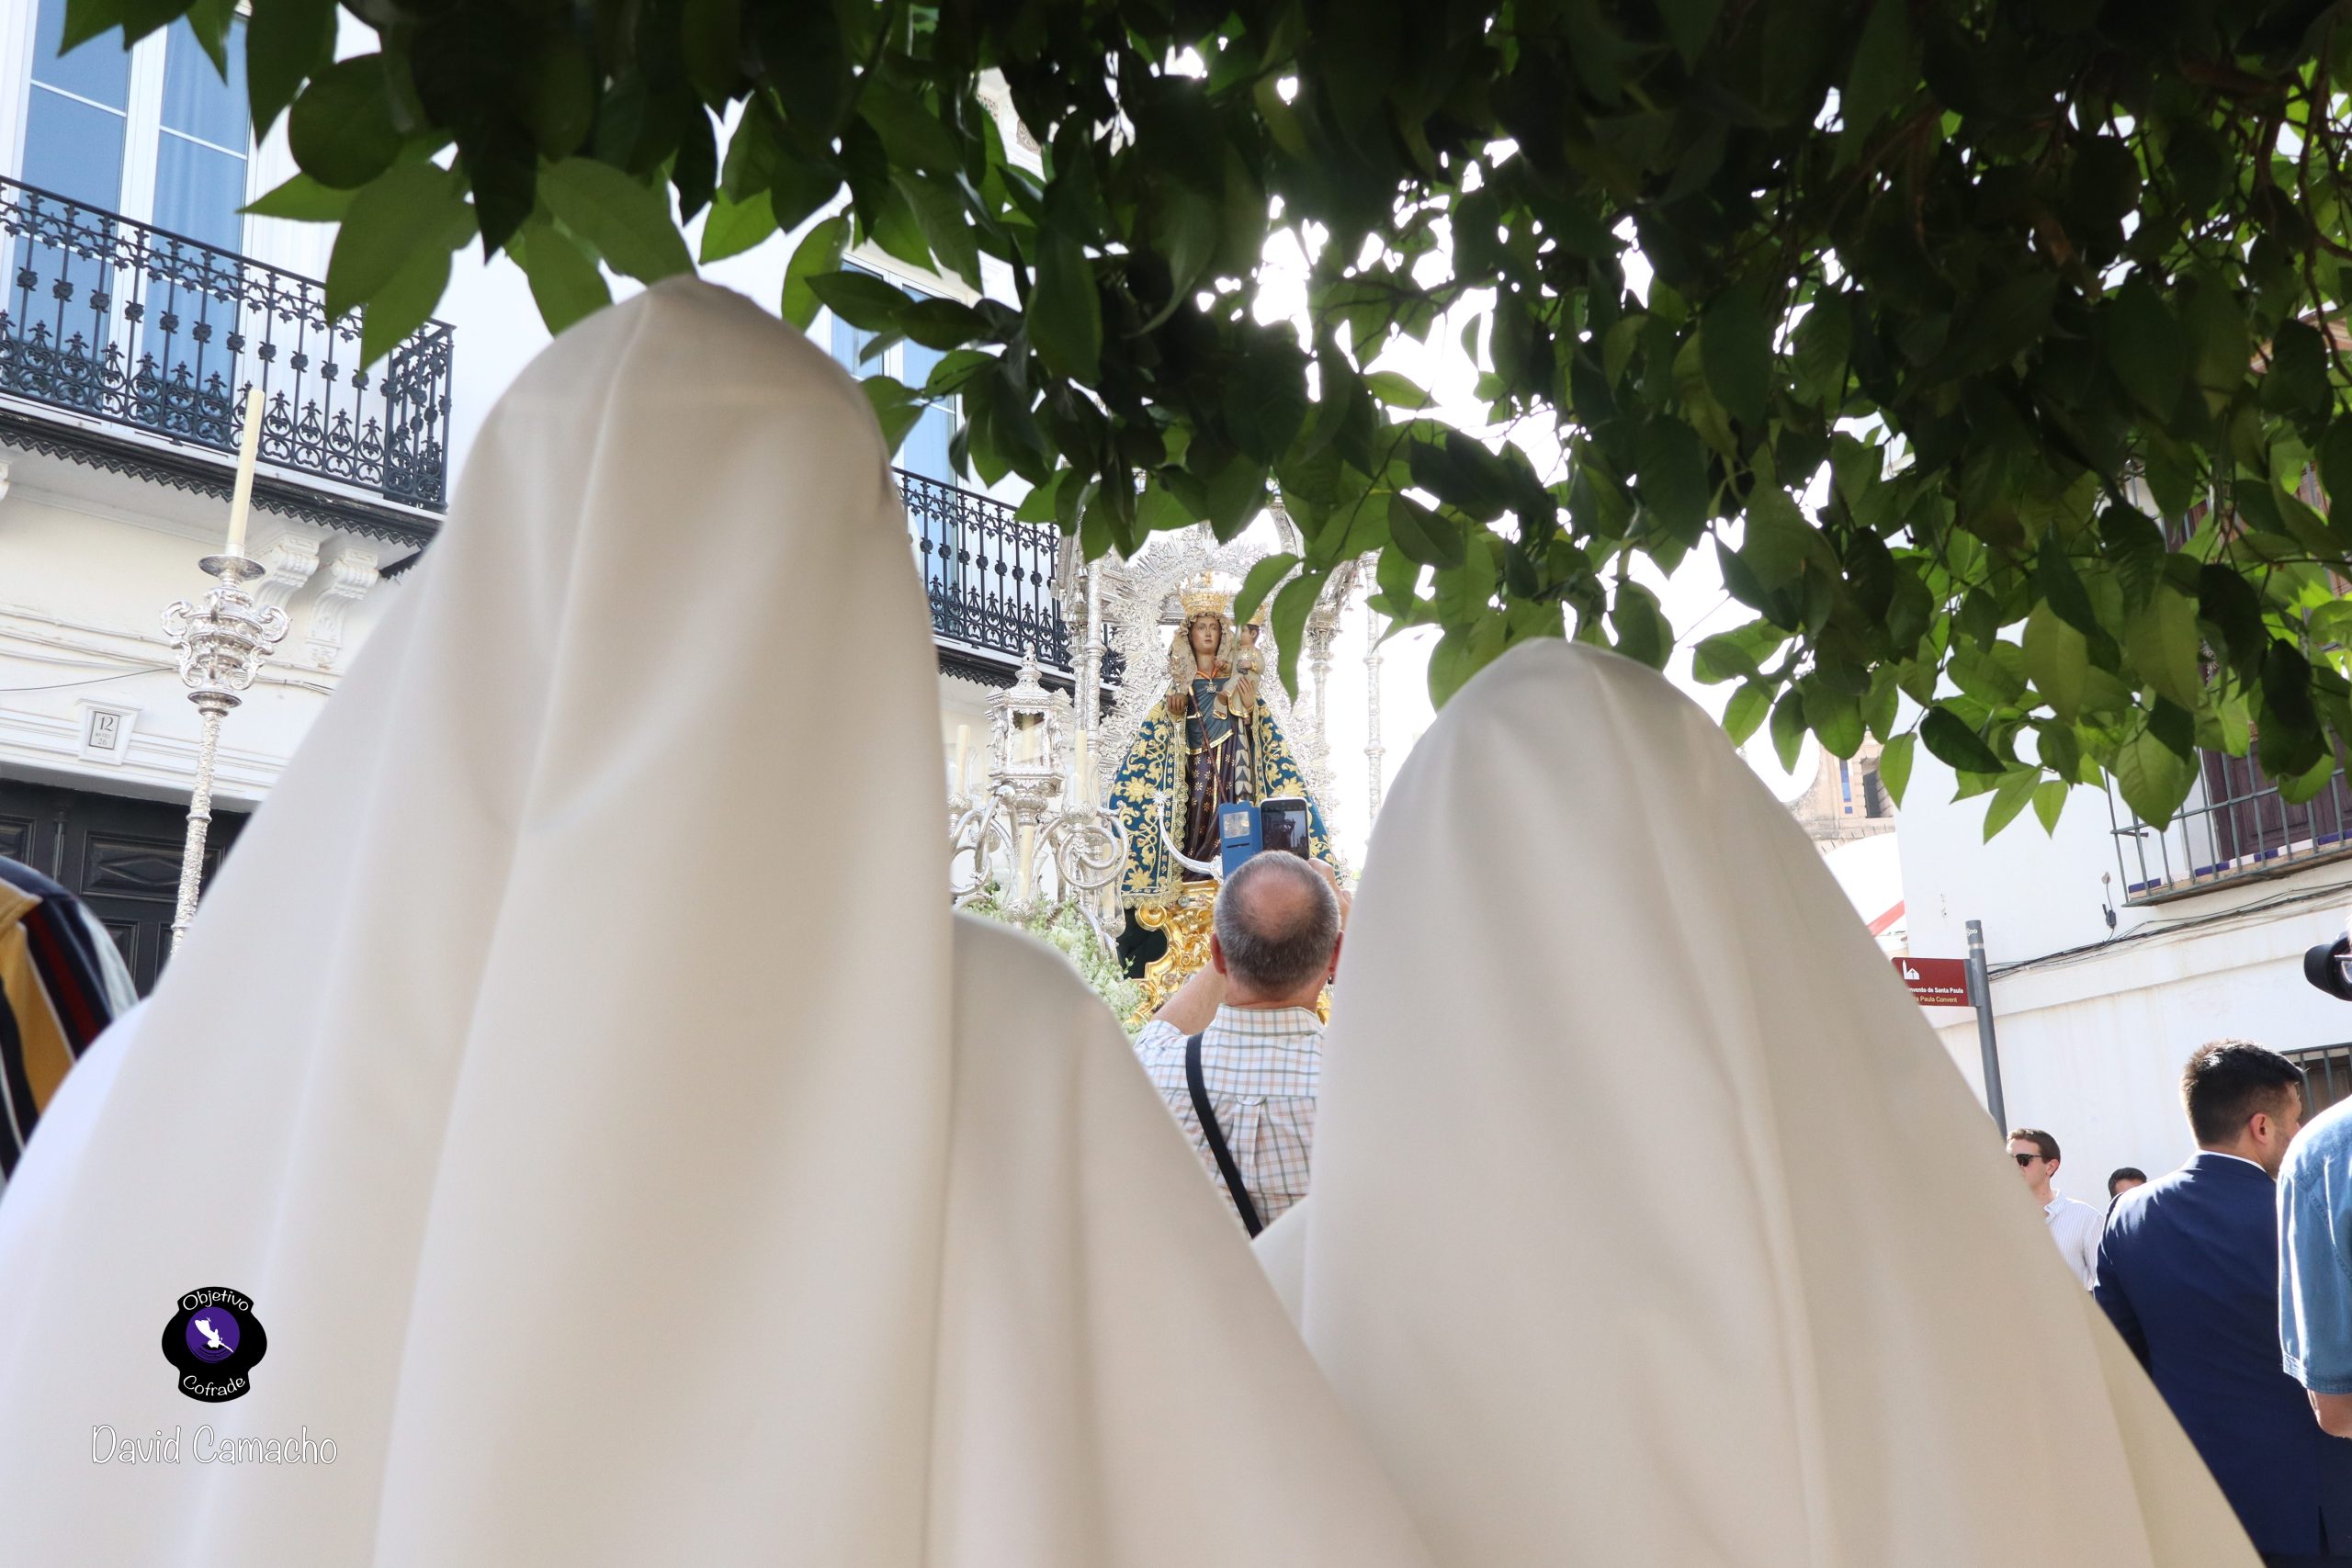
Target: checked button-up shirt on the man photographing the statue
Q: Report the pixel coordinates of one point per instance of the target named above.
(1259, 1068)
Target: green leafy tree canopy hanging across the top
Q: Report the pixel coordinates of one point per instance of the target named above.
(1989, 344)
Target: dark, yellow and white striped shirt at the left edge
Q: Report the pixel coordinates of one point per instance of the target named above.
(58, 993)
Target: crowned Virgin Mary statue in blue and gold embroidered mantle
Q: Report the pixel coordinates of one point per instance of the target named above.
(1205, 744)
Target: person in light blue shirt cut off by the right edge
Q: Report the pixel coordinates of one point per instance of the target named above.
(2316, 1266)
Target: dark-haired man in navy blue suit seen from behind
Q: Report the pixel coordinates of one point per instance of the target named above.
(2189, 1271)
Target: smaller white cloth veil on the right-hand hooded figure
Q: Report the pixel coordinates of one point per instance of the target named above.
(1650, 1221)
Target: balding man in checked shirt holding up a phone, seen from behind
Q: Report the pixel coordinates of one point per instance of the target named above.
(1238, 1050)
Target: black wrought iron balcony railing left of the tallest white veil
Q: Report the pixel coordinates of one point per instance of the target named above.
(123, 323)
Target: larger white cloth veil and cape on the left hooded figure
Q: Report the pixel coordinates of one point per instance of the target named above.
(580, 1068)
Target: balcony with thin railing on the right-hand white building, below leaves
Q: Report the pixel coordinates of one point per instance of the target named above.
(2233, 829)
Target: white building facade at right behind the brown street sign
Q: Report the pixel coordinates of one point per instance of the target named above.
(2118, 951)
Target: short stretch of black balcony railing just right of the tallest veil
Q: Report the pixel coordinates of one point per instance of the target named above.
(989, 575)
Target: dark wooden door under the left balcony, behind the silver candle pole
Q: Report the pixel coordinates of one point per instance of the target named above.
(119, 855)
